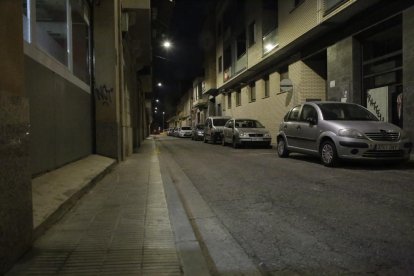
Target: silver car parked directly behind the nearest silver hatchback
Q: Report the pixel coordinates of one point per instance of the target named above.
(239, 132)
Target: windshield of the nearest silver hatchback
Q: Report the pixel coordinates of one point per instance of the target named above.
(346, 112)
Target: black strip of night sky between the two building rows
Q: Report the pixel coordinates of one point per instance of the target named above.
(177, 67)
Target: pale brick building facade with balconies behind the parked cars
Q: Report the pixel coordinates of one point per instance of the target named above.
(276, 54)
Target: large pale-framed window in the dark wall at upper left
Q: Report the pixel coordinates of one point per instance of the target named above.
(62, 30)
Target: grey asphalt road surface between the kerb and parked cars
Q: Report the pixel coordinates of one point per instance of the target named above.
(295, 216)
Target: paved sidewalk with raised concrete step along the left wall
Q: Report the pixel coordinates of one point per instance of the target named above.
(122, 226)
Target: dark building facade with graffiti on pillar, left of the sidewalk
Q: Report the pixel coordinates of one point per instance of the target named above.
(75, 81)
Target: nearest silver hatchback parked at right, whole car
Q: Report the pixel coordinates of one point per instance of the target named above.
(336, 130)
